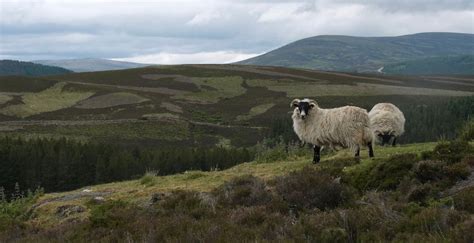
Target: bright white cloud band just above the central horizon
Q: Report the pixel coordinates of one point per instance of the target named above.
(189, 58)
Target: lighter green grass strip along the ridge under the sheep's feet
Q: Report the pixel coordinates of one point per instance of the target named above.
(135, 192)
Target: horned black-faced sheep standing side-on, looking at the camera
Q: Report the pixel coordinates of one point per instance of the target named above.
(346, 127)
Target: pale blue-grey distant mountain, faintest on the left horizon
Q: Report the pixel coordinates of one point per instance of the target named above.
(91, 64)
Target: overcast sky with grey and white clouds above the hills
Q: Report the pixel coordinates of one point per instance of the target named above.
(207, 31)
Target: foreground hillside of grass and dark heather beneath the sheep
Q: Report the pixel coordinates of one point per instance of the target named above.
(284, 199)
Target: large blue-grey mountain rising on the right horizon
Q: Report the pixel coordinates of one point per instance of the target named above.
(364, 54)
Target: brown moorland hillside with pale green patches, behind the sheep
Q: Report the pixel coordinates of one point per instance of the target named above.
(205, 105)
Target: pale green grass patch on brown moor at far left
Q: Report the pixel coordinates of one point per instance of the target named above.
(51, 99)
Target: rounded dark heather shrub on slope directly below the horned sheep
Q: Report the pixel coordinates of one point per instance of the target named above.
(310, 188)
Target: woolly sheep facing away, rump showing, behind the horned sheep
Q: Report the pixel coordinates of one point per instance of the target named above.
(387, 121)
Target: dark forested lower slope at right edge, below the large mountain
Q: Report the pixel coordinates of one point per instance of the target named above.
(450, 65)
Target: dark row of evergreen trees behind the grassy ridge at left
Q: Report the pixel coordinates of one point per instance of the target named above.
(58, 165)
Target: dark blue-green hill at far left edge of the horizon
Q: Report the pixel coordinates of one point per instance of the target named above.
(13, 67)
